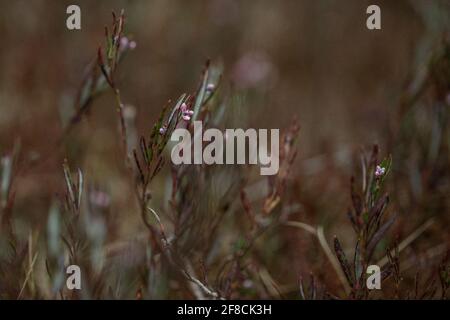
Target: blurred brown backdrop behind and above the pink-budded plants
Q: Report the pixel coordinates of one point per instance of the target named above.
(315, 60)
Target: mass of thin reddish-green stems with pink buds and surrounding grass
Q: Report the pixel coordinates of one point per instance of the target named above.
(225, 232)
